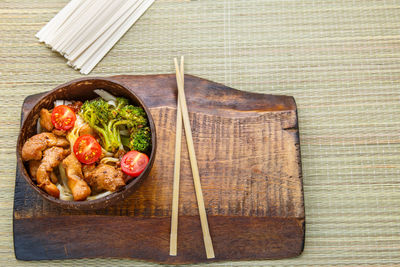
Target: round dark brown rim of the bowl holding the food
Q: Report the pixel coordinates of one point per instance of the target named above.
(105, 201)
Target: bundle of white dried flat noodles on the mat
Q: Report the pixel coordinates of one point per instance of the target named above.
(85, 30)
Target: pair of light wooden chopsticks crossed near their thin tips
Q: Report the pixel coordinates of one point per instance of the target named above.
(182, 113)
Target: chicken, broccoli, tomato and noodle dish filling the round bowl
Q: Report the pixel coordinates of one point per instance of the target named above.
(85, 151)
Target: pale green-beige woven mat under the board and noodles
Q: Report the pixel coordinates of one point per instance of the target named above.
(339, 59)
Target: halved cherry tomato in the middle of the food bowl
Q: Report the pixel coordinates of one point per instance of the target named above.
(87, 150)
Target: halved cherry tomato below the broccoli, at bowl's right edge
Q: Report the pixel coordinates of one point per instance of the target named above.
(133, 163)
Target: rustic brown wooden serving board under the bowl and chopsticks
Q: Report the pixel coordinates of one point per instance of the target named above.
(247, 146)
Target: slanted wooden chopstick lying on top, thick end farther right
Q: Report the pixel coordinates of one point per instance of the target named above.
(193, 162)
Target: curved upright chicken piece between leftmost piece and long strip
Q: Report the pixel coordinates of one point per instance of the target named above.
(51, 158)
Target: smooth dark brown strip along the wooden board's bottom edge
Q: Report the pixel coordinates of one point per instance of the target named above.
(274, 238)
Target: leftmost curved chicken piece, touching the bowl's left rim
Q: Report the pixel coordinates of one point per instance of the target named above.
(34, 146)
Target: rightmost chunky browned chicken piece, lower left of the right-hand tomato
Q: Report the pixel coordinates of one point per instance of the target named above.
(104, 177)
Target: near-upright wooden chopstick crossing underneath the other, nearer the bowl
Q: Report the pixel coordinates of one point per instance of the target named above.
(175, 191)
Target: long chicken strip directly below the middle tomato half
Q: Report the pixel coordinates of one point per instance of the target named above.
(73, 168)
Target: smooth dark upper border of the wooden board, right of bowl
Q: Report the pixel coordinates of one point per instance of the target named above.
(220, 97)
